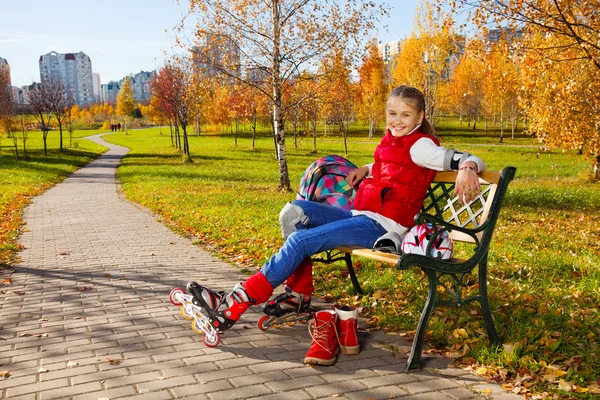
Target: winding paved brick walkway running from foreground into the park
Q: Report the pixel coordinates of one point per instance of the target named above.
(87, 316)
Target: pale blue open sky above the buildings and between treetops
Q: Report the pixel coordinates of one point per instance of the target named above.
(121, 37)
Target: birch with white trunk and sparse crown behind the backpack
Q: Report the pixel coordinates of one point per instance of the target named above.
(276, 38)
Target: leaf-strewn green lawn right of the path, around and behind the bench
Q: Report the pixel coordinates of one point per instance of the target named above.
(543, 262)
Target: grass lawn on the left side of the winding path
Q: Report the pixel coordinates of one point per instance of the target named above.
(21, 179)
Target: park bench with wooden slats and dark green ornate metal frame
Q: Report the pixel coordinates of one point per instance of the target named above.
(473, 223)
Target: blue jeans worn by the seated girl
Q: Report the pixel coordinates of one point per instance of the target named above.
(328, 227)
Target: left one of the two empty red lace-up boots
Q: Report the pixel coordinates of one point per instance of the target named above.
(325, 346)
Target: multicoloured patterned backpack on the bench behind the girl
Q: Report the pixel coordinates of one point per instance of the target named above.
(324, 181)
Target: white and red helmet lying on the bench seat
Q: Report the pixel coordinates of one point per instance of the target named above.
(417, 239)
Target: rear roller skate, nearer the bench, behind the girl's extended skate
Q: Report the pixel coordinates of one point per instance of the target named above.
(286, 308)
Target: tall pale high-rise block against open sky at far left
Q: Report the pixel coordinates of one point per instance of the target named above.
(74, 70)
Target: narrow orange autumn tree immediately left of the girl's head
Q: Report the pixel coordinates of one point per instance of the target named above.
(372, 89)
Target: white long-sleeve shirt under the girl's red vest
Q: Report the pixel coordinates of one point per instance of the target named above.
(426, 153)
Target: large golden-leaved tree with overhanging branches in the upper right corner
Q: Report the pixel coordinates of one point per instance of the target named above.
(562, 50)
